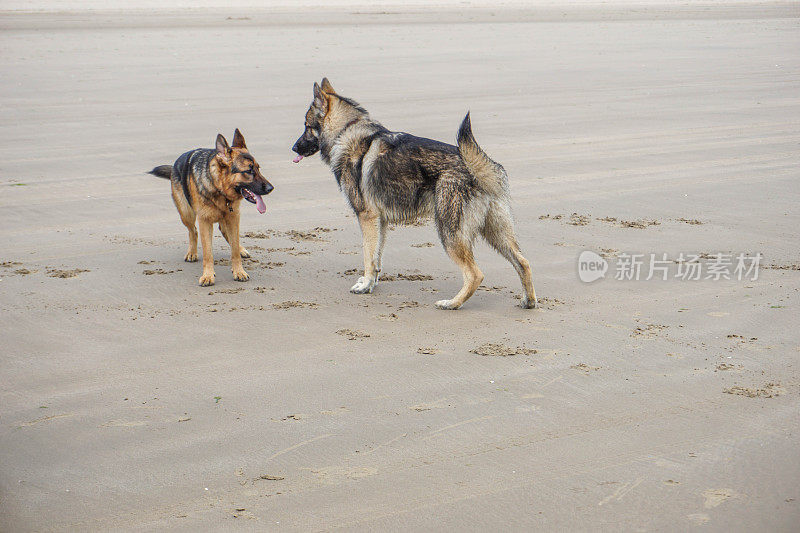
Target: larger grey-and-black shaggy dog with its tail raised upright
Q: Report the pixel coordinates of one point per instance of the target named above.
(393, 177)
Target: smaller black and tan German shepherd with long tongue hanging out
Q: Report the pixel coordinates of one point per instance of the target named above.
(208, 184)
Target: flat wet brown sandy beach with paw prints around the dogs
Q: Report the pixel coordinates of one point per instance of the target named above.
(134, 399)
